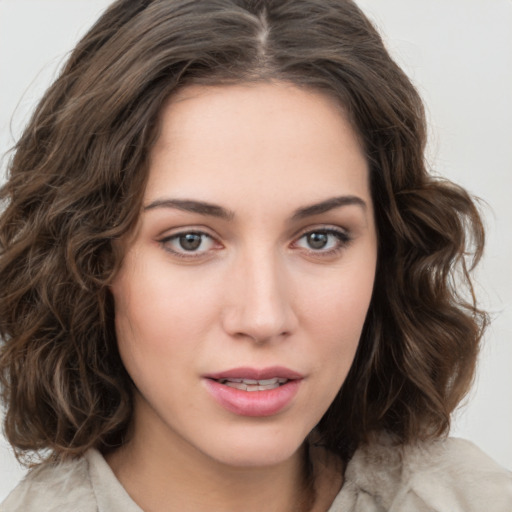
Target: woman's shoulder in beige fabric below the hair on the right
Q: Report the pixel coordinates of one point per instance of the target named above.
(448, 475)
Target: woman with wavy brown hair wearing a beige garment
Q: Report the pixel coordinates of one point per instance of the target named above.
(227, 277)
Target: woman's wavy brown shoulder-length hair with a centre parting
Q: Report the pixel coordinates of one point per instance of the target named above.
(75, 186)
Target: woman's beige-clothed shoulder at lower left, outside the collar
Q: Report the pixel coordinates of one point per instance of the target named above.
(63, 487)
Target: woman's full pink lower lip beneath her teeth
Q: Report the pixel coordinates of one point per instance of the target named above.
(253, 403)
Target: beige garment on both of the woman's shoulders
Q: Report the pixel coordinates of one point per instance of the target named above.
(451, 475)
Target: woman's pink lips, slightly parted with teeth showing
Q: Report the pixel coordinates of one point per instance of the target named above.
(254, 392)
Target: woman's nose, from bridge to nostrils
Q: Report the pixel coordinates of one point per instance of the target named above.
(259, 305)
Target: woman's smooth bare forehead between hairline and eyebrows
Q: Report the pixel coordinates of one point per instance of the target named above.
(258, 141)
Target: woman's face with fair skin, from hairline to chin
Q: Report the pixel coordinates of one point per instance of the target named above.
(241, 299)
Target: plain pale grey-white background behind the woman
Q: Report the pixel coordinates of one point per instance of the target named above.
(458, 53)
